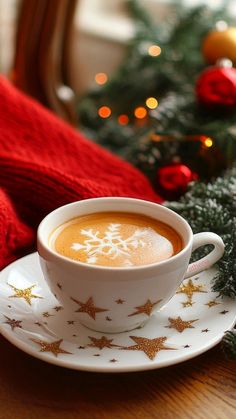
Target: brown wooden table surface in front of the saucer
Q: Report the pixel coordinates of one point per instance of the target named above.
(202, 388)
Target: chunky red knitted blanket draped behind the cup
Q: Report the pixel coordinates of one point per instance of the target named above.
(45, 164)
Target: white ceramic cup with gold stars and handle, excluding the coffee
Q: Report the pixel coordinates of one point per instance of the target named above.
(117, 299)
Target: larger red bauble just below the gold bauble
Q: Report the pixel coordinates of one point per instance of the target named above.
(216, 87)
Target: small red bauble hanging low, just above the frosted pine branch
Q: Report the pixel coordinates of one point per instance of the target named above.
(174, 179)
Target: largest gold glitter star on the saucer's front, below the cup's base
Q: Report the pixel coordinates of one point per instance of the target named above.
(149, 346)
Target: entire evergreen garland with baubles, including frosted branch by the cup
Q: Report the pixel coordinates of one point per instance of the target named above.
(190, 135)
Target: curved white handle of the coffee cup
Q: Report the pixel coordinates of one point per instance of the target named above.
(207, 261)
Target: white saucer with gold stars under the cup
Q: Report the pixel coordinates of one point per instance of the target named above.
(32, 319)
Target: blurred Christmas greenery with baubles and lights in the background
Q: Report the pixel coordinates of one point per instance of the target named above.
(158, 112)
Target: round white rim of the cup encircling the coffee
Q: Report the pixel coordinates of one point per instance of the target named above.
(88, 266)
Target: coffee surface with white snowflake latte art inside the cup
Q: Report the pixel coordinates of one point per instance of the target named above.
(116, 239)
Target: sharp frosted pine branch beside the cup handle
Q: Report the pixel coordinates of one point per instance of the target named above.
(212, 207)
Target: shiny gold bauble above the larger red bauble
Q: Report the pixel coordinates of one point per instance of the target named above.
(220, 44)
